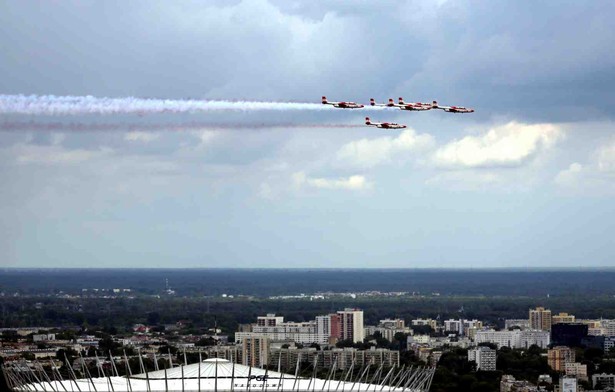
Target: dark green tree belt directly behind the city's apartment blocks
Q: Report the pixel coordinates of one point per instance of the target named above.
(203, 313)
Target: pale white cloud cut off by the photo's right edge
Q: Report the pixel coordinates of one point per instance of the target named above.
(596, 176)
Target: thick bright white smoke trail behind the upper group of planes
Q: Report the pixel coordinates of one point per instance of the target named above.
(75, 105)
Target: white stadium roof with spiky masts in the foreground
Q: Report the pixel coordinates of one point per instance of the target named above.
(221, 375)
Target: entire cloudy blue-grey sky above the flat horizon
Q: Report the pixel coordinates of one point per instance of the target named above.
(528, 180)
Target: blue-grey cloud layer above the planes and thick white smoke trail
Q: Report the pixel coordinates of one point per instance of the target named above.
(544, 60)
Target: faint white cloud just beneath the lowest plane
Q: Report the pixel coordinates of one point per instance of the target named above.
(368, 153)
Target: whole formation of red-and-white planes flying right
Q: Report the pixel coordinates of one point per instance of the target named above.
(410, 106)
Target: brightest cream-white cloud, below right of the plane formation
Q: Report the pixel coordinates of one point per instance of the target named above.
(511, 144)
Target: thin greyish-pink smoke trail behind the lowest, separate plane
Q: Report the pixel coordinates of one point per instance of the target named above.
(9, 126)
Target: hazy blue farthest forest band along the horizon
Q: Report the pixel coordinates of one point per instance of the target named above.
(269, 282)
